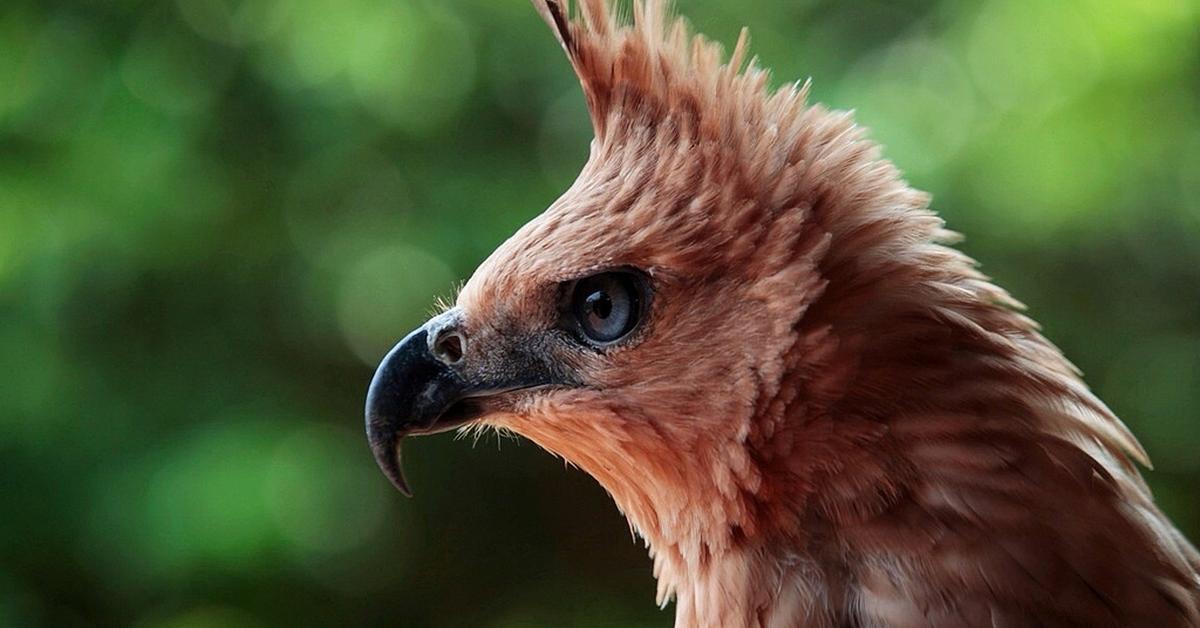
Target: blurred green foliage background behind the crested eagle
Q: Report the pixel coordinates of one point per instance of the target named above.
(217, 217)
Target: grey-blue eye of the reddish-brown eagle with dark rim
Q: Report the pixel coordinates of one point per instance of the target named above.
(608, 307)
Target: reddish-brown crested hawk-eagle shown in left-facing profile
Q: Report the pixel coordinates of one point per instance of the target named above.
(758, 338)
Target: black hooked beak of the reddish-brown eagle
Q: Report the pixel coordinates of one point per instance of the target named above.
(435, 381)
